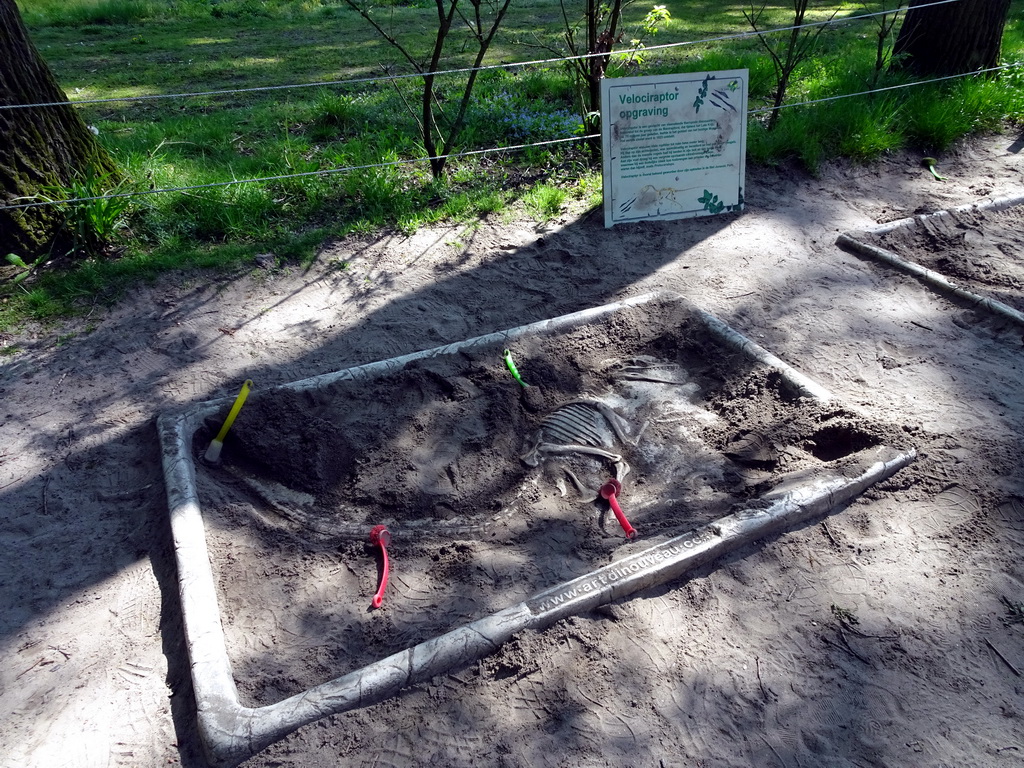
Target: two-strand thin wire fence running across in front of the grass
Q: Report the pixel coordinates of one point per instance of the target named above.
(470, 153)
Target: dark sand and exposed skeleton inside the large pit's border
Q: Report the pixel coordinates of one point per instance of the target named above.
(483, 485)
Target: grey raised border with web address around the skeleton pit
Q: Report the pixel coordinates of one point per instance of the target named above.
(233, 733)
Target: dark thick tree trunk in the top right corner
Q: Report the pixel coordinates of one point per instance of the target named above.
(952, 39)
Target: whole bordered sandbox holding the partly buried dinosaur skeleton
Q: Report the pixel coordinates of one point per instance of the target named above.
(490, 488)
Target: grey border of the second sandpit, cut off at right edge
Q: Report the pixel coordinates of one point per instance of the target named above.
(931, 278)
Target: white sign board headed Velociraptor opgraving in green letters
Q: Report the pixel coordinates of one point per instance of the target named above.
(674, 146)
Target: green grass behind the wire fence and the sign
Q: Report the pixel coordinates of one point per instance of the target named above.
(114, 49)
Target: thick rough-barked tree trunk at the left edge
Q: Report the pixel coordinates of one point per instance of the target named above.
(38, 147)
